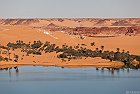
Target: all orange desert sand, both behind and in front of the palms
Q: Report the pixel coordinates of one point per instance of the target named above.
(36, 30)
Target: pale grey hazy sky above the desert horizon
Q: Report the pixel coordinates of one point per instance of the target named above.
(69, 8)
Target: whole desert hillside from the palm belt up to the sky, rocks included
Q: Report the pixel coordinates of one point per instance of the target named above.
(71, 31)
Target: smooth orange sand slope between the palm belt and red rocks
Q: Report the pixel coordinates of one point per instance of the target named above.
(27, 33)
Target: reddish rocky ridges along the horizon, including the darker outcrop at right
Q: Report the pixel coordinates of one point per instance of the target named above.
(128, 26)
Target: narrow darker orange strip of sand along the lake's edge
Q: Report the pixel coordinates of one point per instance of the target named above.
(65, 65)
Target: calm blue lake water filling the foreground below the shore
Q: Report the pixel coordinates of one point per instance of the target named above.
(56, 80)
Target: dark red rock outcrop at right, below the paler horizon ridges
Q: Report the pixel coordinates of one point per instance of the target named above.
(102, 30)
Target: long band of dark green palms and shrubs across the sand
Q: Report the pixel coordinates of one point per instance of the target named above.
(68, 52)
